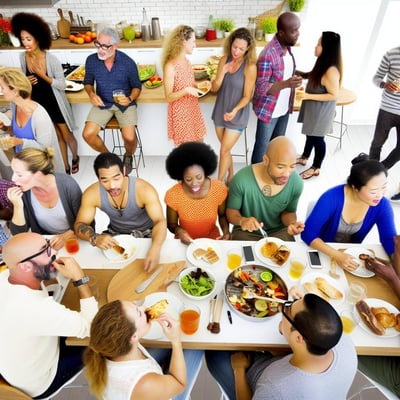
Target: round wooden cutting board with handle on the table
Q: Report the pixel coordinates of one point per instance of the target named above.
(123, 284)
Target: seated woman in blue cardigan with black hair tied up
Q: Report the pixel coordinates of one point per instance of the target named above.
(347, 213)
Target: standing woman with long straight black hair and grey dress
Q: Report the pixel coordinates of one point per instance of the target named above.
(318, 107)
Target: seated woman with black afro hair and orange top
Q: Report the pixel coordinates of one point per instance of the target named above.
(196, 201)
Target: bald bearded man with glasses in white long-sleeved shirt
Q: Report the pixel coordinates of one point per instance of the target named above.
(34, 357)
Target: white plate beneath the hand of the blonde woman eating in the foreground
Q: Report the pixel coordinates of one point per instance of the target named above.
(174, 308)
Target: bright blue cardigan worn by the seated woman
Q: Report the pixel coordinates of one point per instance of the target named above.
(323, 222)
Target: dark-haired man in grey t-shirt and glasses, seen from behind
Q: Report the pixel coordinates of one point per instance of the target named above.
(322, 364)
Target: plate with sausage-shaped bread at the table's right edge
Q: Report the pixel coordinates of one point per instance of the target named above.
(378, 317)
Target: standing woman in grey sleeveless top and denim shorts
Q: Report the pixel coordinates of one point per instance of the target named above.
(234, 82)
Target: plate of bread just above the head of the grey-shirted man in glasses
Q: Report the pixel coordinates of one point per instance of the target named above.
(324, 286)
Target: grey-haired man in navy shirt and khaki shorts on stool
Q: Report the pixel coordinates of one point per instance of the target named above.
(106, 71)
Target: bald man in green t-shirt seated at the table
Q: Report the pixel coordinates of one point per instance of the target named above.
(265, 195)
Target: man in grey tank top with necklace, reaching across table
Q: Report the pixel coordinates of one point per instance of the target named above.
(132, 205)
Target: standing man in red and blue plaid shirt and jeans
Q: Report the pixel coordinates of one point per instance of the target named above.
(276, 78)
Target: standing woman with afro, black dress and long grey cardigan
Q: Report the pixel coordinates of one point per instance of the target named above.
(45, 73)
